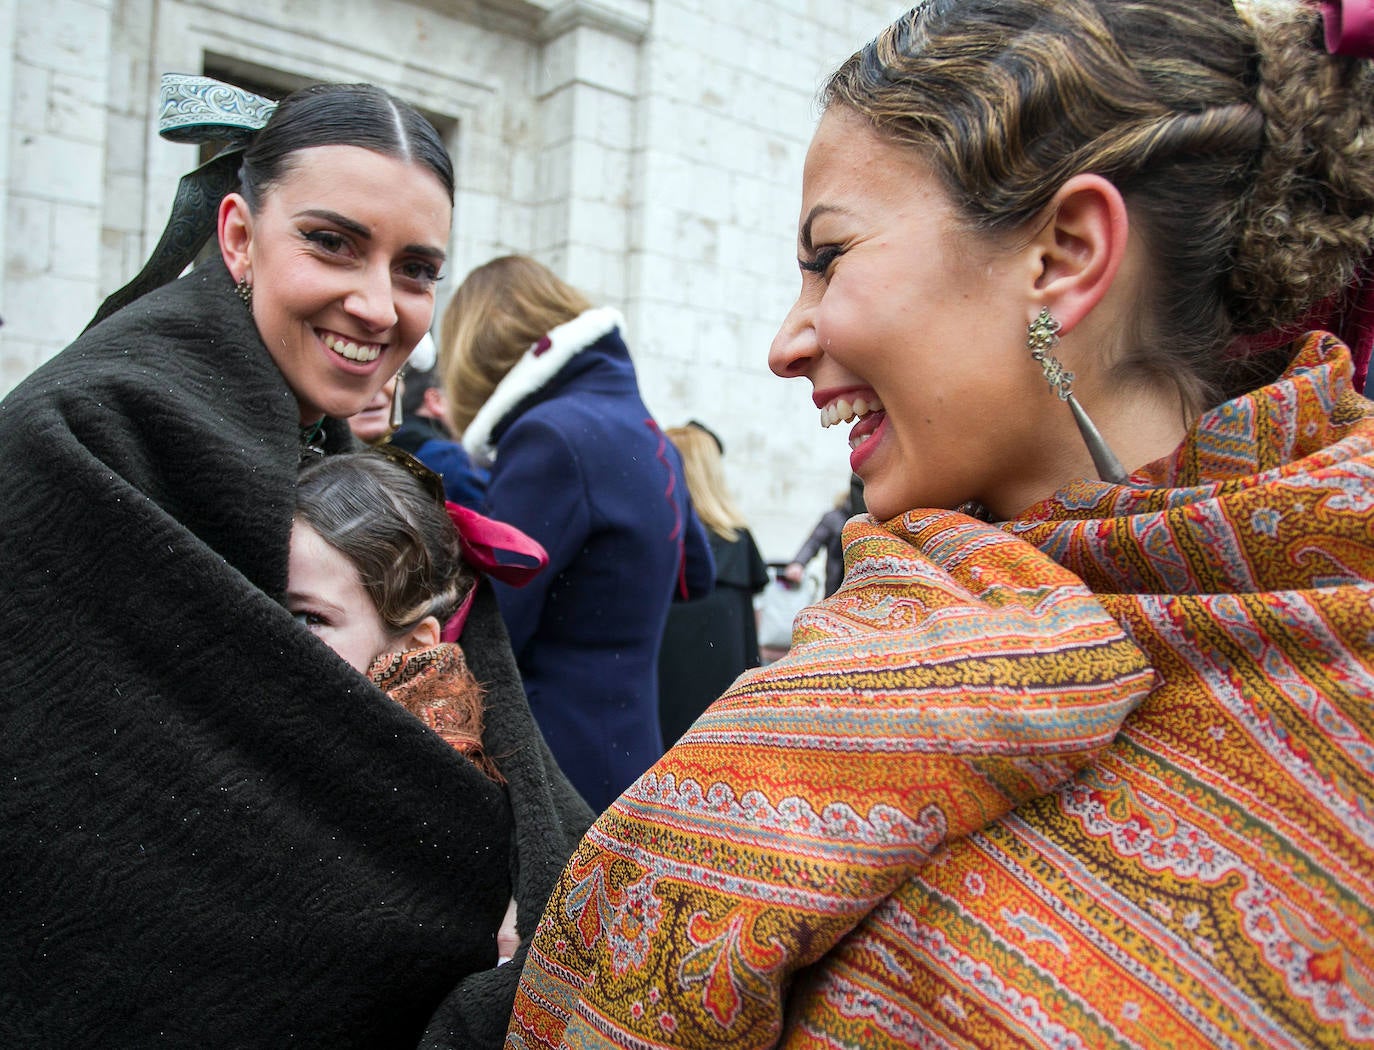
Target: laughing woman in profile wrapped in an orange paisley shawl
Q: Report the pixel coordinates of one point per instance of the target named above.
(1082, 752)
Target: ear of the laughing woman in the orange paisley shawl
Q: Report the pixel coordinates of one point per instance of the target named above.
(1081, 248)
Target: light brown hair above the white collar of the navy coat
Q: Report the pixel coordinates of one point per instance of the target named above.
(499, 311)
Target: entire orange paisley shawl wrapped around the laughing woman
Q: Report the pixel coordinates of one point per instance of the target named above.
(910, 834)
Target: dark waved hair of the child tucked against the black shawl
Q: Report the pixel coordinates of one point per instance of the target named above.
(394, 530)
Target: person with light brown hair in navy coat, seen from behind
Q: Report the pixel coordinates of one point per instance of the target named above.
(542, 388)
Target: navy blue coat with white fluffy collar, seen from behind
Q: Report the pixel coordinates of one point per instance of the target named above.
(583, 468)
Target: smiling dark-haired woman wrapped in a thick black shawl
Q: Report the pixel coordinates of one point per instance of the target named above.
(216, 834)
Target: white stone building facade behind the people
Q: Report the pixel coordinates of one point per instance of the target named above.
(649, 150)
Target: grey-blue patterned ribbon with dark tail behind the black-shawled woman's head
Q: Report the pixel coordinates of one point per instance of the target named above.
(196, 111)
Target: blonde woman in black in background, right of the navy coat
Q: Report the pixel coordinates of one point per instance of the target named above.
(710, 643)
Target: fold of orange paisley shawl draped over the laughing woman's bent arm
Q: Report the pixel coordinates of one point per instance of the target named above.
(815, 788)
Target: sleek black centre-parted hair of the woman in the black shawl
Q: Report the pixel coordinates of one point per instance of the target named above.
(341, 115)
